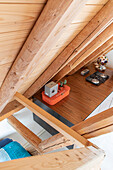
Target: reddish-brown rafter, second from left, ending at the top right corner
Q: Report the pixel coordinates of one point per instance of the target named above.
(90, 32)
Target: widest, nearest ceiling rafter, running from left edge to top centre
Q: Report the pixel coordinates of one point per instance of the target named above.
(47, 30)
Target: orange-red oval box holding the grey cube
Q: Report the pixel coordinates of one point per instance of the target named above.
(62, 93)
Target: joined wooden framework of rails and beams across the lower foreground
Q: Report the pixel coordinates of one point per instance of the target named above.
(86, 156)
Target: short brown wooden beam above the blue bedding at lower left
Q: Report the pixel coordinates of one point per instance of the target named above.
(25, 132)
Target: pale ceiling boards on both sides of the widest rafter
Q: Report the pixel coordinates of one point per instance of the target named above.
(17, 18)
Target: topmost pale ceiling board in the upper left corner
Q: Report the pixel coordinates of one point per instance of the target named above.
(16, 17)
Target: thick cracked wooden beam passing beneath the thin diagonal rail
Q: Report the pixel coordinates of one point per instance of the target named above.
(99, 124)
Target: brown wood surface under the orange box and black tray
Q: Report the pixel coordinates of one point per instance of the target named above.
(84, 97)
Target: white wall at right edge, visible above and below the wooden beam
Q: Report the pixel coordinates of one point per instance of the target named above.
(105, 141)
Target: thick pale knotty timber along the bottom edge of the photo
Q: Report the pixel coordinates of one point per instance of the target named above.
(81, 158)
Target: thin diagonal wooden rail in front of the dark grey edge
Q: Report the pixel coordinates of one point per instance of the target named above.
(52, 121)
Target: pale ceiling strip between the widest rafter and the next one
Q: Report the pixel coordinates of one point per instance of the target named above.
(71, 30)
